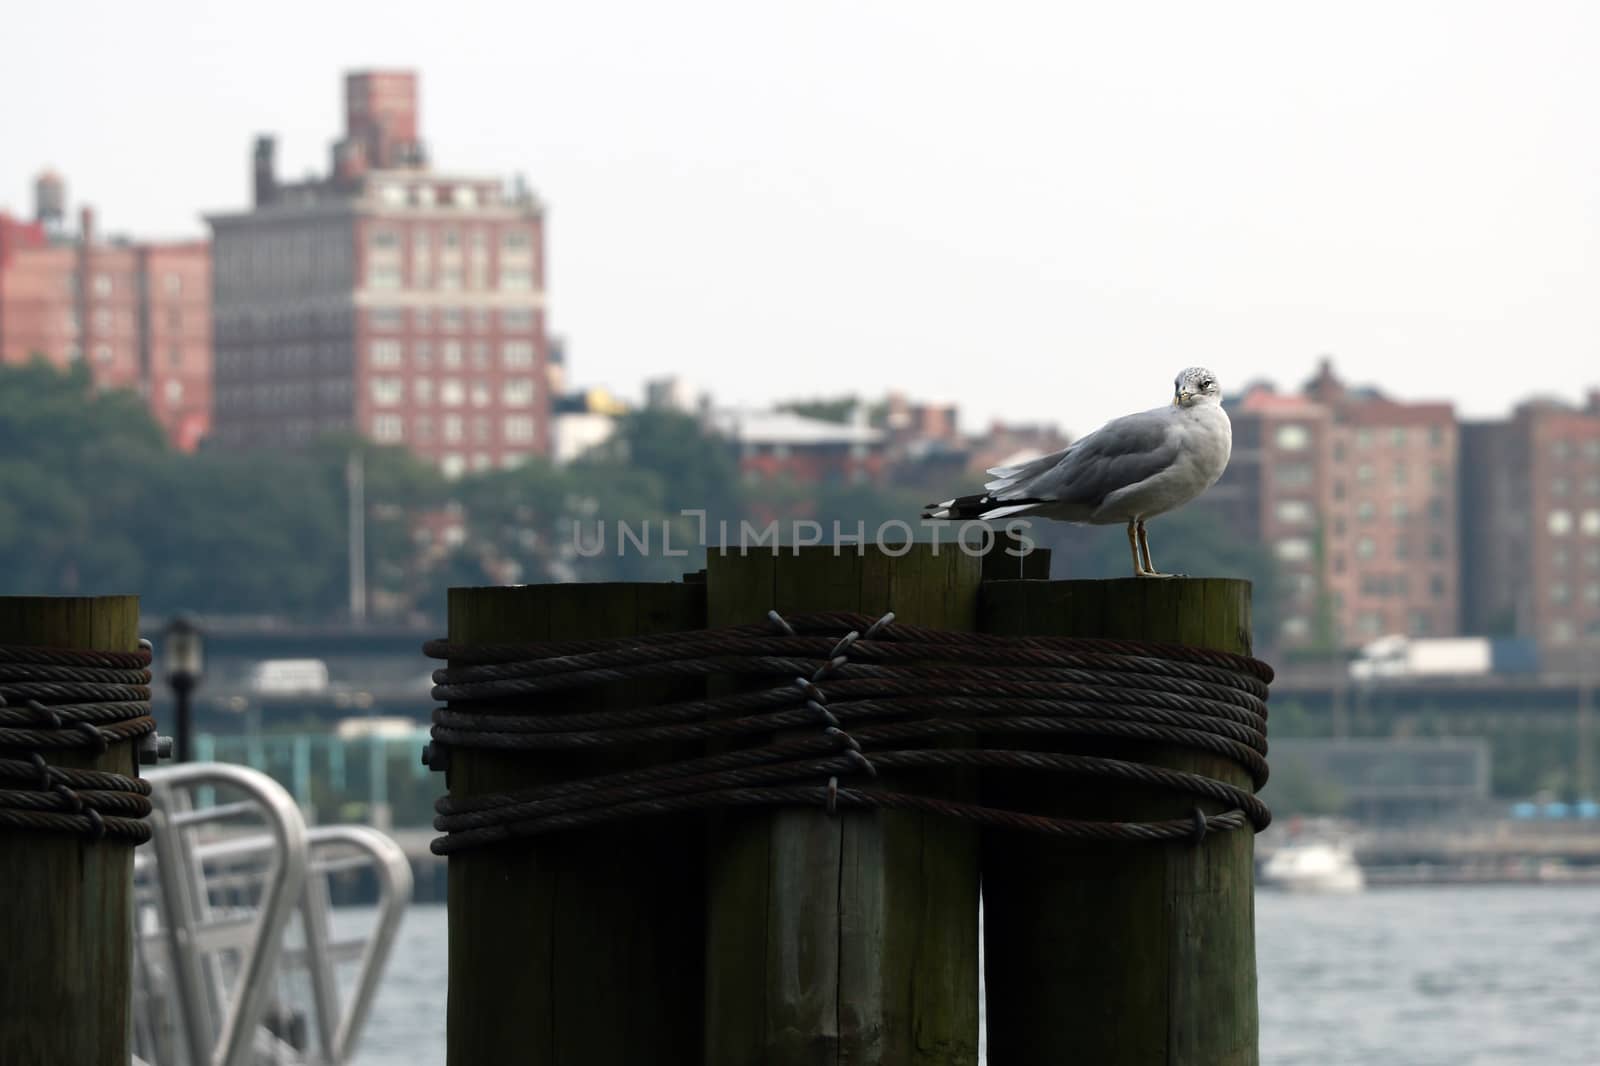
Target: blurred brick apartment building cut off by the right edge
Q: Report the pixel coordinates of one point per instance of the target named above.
(1532, 527)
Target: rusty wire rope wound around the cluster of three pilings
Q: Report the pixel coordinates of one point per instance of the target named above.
(847, 697)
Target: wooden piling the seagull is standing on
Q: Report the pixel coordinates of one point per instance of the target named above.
(1130, 953)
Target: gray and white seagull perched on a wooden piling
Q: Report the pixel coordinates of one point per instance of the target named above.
(1130, 470)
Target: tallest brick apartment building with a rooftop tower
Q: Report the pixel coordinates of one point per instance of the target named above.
(388, 299)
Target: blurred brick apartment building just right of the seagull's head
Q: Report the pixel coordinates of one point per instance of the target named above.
(1354, 495)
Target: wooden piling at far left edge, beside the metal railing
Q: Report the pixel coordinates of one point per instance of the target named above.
(68, 915)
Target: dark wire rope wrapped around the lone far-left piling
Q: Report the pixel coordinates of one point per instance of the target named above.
(68, 700)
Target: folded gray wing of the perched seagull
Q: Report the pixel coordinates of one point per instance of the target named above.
(1122, 452)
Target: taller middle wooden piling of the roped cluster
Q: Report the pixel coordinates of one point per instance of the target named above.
(846, 939)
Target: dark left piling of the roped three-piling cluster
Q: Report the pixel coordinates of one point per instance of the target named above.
(583, 947)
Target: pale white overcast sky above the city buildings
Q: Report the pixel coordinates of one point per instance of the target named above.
(1039, 212)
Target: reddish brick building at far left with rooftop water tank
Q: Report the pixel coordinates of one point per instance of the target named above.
(137, 313)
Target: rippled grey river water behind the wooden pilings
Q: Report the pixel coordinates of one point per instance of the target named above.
(1399, 977)
